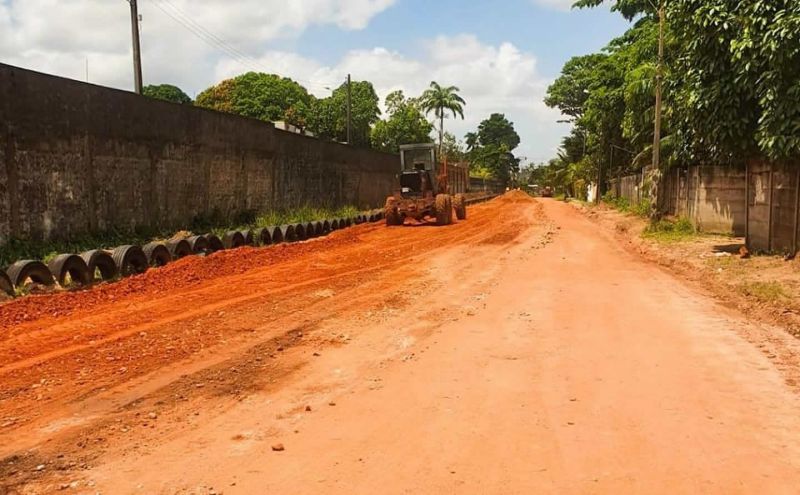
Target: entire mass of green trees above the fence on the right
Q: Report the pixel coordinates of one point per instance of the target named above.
(731, 90)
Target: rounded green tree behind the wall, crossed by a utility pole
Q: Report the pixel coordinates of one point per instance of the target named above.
(328, 116)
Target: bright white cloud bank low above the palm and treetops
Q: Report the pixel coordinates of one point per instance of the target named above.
(492, 79)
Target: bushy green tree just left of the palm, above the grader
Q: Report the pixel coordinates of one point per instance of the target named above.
(406, 124)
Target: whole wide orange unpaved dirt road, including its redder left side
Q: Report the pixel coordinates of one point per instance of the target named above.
(521, 351)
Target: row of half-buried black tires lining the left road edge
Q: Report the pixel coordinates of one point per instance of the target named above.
(98, 264)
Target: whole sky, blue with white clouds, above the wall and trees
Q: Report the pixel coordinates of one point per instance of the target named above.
(502, 54)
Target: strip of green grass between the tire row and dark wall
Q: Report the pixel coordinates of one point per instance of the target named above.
(17, 249)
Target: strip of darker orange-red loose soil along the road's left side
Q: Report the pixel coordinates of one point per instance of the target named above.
(81, 370)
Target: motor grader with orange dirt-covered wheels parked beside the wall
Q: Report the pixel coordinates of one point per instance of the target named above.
(422, 190)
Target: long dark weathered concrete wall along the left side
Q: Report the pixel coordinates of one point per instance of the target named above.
(77, 158)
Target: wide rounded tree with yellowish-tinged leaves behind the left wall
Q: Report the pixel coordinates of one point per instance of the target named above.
(260, 96)
